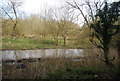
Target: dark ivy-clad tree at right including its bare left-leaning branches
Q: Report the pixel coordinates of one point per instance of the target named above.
(103, 23)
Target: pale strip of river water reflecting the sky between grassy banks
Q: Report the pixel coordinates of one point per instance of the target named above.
(25, 54)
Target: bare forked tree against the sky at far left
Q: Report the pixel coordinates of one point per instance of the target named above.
(10, 10)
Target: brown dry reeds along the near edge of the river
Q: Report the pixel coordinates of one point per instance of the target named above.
(36, 70)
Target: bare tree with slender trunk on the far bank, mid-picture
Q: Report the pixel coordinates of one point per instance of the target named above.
(67, 18)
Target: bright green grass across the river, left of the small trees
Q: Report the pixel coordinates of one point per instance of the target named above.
(26, 43)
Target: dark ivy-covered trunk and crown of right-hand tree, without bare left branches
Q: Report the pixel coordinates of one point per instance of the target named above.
(105, 27)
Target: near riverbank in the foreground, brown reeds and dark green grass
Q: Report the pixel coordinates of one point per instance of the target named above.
(60, 68)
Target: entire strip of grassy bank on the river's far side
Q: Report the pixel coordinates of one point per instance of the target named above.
(35, 43)
